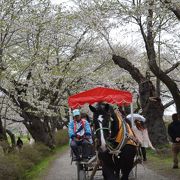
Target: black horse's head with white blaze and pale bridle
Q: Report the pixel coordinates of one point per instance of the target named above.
(101, 118)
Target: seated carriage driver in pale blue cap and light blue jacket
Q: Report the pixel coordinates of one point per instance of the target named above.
(80, 135)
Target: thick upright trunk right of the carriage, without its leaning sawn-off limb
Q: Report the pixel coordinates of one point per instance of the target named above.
(153, 112)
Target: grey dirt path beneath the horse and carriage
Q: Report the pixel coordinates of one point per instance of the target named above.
(62, 169)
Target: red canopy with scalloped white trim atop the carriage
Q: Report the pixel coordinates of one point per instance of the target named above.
(100, 94)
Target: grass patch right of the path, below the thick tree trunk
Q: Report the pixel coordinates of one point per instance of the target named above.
(162, 162)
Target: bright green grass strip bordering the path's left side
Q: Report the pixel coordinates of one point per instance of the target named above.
(40, 169)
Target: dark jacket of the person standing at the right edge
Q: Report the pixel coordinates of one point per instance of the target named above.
(174, 130)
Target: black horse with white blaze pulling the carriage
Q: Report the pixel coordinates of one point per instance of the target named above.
(113, 155)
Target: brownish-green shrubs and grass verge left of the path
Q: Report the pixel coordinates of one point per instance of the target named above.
(31, 159)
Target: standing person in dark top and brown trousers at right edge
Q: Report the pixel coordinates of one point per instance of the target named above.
(174, 133)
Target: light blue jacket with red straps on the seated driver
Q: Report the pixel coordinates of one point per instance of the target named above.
(79, 130)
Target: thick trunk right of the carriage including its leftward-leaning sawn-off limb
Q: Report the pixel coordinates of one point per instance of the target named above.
(151, 105)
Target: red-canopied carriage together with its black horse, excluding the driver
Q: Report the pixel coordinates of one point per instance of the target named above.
(115, 147)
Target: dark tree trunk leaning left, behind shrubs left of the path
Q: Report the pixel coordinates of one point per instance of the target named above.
(39, 127)
